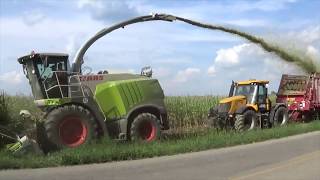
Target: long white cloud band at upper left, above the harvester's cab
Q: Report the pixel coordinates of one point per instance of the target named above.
(50, 28)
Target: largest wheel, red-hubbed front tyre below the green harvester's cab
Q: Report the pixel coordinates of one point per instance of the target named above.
(69, 126)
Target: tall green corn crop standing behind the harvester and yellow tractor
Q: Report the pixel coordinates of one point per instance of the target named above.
(184, 112)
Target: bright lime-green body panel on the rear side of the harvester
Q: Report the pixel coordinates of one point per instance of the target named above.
(117, 98)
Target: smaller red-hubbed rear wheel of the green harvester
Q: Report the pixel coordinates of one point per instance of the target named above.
(145, 127)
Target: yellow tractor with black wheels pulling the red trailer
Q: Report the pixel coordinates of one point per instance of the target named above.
(247, 107)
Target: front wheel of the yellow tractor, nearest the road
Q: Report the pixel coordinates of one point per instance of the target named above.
(246, 121)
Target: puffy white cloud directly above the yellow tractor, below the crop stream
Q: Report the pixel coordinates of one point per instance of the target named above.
(248, 58)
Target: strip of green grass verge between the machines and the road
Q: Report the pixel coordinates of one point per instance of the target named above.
(107, 151)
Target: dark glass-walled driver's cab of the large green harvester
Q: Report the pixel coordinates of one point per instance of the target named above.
(47, 74)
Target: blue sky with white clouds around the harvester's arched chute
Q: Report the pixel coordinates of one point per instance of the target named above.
(187, 60)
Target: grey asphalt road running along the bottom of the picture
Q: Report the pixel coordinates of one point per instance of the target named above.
(296, 157)
